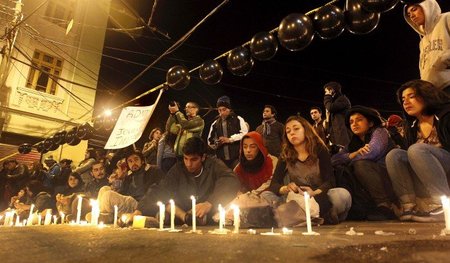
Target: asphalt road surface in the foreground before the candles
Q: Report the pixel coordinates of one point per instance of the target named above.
(411, 242)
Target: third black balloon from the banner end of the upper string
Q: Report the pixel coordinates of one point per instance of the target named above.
(239, 61)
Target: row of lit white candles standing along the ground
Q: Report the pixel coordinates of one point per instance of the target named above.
(139, 221)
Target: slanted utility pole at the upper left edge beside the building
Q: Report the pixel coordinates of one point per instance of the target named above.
(10, 40)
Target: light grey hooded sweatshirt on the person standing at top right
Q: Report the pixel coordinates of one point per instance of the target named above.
(434, 62)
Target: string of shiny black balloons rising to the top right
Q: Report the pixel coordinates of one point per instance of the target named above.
(295, 32)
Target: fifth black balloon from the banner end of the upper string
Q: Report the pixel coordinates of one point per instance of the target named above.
(295, 32)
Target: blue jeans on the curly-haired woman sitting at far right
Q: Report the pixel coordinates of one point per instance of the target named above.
(420, 171)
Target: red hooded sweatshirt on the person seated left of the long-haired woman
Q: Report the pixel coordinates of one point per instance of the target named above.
(253, 180)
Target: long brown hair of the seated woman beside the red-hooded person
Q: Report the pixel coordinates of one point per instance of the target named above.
(312, 142)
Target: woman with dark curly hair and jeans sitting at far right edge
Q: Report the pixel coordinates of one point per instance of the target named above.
(420, 174)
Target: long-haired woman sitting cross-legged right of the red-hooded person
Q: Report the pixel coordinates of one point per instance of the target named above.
(305, 166)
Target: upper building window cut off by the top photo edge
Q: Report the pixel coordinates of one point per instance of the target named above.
(60, 12)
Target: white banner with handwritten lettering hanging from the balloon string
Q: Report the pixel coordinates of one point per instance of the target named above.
(130, 125)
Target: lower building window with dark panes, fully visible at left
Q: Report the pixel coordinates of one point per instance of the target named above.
(44, 80)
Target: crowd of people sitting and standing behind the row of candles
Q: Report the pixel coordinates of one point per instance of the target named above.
(393, 168)
